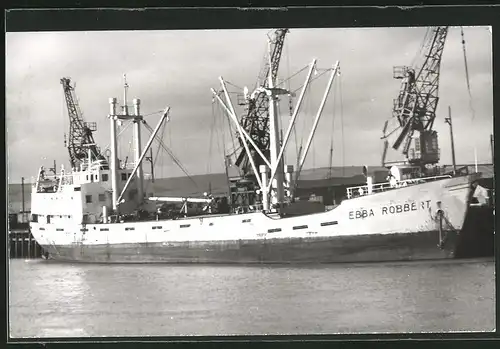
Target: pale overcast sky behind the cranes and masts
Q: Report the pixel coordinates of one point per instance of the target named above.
(178, 68)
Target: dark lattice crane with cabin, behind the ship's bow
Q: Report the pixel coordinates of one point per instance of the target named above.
(415, 107)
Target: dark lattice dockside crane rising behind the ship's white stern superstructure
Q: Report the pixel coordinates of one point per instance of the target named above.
(81, 138)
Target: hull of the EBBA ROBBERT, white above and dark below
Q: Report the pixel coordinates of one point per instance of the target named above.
(398, 224)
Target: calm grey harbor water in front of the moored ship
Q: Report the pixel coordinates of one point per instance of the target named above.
(50, 299)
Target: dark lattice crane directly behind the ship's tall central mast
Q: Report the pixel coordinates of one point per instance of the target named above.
(256, 120)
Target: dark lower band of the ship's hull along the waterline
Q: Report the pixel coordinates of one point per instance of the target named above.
(364, 248)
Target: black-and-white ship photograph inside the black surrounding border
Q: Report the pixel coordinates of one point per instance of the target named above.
(271, 181)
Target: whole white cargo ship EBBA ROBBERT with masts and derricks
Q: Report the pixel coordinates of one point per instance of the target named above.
(98, 212)
